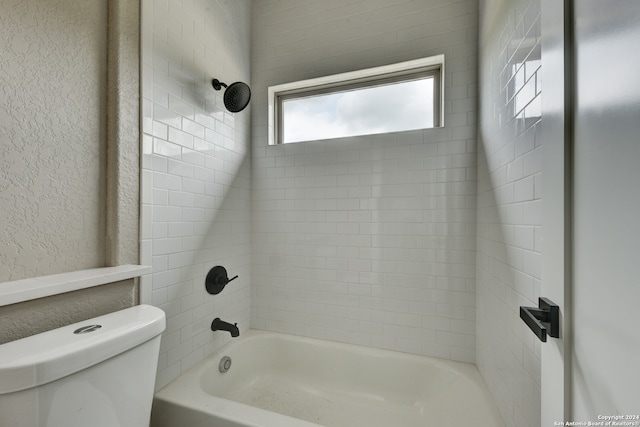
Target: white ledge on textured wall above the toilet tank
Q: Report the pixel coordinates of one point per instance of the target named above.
(28, 289)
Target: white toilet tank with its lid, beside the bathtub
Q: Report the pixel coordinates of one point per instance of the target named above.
(95, 373)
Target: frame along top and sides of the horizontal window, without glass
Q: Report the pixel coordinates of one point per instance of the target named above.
(432, 66)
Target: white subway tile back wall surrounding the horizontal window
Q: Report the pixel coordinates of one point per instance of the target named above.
(367, 240)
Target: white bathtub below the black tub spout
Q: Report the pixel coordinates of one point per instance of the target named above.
(278, 380)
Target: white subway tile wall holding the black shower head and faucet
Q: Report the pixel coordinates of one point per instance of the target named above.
(195, 173)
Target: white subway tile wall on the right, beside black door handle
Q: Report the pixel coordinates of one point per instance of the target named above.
(509, 206)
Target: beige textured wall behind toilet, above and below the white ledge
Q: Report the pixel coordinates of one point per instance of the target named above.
(53, 153)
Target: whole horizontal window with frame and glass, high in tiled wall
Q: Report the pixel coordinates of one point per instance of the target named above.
(393, 98)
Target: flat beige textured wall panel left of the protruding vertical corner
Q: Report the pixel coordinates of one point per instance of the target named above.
(52, 136)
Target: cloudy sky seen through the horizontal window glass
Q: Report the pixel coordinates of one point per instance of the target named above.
(363, 111)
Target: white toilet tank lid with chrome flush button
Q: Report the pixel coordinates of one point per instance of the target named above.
(46, 357)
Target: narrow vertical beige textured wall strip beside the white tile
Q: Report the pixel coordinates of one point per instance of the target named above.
(123, 134)
